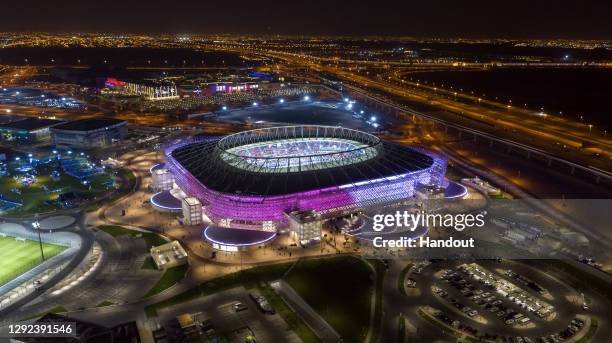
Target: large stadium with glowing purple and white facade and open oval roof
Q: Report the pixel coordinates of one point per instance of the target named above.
(255, 180)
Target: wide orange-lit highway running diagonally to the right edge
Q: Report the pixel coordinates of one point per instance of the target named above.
(575, 141)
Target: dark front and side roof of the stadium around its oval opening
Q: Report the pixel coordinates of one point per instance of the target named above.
(202, 161)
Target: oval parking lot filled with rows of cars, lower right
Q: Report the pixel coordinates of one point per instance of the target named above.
(499, 299)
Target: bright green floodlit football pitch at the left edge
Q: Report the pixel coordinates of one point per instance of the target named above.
(17, 257)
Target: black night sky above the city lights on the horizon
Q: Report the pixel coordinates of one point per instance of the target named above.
(424, 18)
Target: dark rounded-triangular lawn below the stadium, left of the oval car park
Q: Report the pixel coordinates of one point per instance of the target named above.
(339, 289)
